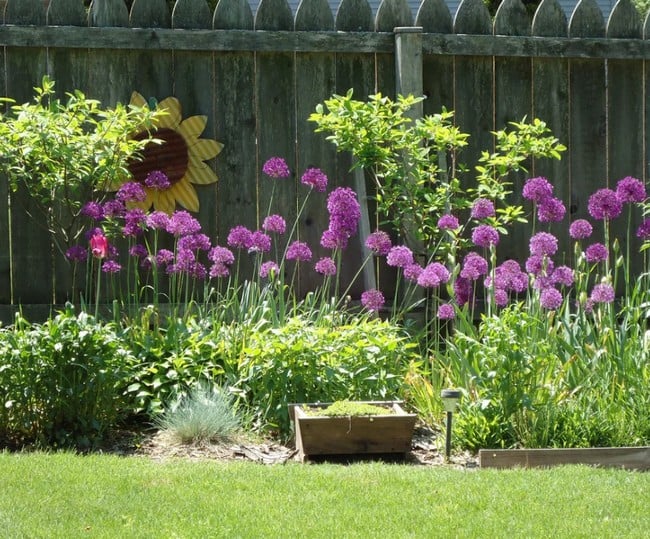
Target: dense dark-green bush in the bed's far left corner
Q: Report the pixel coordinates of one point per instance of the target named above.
(60, 382)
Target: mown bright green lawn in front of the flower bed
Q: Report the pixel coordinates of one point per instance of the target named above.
(65, 495)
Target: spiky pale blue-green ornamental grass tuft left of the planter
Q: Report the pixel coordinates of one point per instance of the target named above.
(204, 414)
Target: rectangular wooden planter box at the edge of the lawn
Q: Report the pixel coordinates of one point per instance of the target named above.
(352, 435)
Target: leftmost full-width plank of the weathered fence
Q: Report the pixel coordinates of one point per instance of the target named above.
(32, 248)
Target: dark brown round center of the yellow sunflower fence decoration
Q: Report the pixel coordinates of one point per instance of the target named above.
(171, 156)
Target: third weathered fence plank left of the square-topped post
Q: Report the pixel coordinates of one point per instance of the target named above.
(315, 82)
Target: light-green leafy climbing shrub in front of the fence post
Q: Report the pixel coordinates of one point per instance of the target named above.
(389, 144)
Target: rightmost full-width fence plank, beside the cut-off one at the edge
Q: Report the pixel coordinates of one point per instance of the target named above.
(625, 147)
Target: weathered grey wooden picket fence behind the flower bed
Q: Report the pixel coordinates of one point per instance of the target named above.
(258, 76)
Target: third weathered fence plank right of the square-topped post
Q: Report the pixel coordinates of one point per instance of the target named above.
(513, 102)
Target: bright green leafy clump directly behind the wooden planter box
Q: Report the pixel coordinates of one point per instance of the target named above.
(364, 359)
